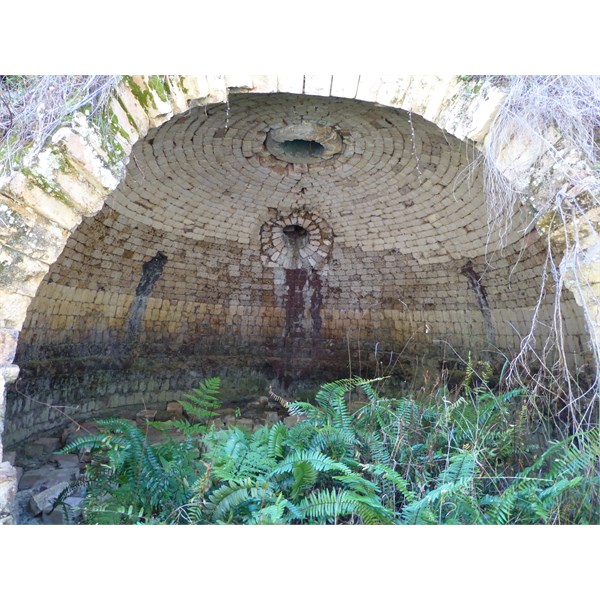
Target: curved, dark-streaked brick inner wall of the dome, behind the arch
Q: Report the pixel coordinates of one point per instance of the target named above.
(213, 256)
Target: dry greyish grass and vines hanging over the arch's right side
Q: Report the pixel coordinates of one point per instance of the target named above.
(561, 114)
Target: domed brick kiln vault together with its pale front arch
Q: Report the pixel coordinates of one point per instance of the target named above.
(220, 249)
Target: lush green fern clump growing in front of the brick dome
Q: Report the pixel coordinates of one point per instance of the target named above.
(432, 461)
